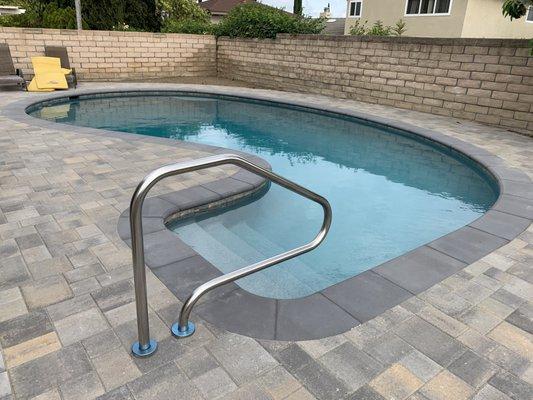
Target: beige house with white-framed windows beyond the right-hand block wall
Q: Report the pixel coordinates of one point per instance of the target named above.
(442, 18)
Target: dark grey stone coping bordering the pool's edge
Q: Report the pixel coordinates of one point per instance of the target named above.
(337, 308)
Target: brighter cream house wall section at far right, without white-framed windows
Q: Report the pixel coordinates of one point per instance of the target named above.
(484, 19)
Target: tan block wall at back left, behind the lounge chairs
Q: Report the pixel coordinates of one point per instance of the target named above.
(104, 55)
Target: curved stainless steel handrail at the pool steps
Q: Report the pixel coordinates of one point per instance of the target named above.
(146, 346)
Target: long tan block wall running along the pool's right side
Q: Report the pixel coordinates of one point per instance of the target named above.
(489, 81)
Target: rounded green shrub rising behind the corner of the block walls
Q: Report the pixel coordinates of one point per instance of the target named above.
(255, 20)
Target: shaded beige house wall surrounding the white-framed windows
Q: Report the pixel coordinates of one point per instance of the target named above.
(390, 11)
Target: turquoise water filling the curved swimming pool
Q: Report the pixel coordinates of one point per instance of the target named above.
(390, 191)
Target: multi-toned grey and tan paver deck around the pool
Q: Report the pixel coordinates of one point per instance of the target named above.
(67, 316)
